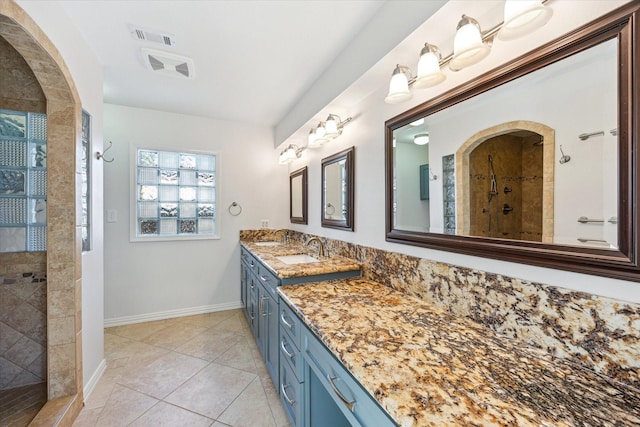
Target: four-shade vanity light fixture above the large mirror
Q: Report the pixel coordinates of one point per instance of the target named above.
(470, 46)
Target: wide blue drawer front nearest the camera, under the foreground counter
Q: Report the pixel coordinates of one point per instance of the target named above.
(355, 403)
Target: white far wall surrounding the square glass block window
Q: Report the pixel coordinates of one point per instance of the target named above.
(146, 280)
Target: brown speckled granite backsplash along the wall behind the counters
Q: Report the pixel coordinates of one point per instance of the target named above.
(599, 333)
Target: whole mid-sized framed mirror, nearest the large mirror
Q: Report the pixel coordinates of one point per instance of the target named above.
(338, 190)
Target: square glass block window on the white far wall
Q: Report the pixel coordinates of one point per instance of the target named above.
(175, 195)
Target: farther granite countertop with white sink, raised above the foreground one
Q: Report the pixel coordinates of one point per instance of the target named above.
(328, 264)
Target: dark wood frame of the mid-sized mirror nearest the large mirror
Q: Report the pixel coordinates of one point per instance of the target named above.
(347, 222)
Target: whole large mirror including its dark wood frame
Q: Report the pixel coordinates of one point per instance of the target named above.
(535, 162)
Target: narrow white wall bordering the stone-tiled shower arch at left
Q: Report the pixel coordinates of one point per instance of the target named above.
(87, 75)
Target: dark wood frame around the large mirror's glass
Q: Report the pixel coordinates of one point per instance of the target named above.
(622, 263)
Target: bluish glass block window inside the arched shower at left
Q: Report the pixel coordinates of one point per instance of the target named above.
(23, 181)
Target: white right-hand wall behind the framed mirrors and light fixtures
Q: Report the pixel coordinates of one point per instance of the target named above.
(366, 132)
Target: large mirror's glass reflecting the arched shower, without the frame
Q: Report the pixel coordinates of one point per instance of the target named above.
(505, 154)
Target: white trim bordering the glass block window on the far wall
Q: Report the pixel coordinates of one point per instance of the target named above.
(133, 196)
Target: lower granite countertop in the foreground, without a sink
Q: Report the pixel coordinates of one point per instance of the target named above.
(426, 367)
